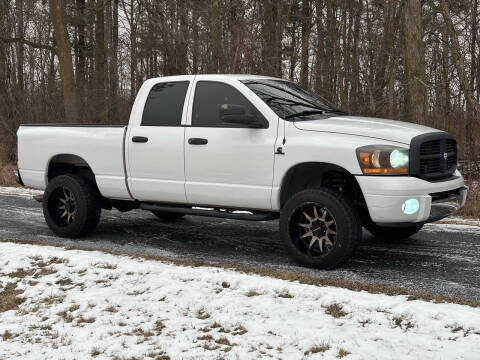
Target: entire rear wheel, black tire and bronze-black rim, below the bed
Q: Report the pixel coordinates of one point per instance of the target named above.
(71, 206)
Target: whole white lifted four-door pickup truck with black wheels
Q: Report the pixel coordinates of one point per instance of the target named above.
(248, 148)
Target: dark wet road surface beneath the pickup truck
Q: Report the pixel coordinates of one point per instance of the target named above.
(442, 258)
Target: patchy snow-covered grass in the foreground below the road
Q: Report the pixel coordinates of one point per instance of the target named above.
(64, 304)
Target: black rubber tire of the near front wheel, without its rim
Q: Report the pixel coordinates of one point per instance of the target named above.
(348, 227)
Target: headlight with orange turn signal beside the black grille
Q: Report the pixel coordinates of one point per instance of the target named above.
(383, 160)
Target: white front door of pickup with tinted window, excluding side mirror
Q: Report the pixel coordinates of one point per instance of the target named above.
(228, 165)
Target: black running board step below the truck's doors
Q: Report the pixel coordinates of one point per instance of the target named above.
(263, 216)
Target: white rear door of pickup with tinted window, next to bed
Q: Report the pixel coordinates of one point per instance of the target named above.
(155, 141)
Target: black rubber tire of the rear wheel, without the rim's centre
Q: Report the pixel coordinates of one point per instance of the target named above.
(87, 203)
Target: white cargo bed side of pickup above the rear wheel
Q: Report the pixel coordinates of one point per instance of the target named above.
(99, 146)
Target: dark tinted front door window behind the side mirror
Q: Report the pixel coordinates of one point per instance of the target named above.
(209, 96)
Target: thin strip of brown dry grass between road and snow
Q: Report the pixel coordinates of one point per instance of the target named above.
(373, 288)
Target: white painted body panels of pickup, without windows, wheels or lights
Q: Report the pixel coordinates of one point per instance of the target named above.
(239, 168)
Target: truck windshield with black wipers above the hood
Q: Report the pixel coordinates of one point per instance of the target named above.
(290, 101)
